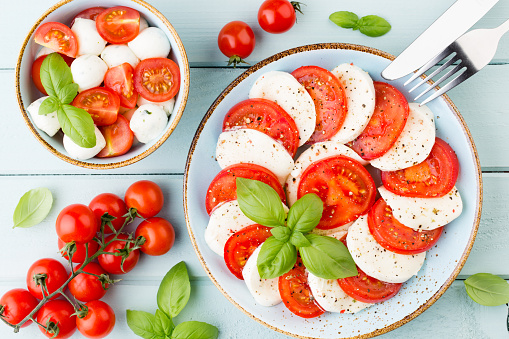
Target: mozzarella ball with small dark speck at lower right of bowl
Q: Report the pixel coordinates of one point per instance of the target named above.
(148, 122)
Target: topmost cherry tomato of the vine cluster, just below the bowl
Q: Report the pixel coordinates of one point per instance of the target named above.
(146, 196)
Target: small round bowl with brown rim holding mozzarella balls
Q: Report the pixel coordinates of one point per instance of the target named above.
(64, 12)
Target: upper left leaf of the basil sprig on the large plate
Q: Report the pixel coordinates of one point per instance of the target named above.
(260, 203)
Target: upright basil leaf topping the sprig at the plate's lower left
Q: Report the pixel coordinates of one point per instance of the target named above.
(174, 291)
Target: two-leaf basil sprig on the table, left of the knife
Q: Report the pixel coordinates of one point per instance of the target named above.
(370, 25)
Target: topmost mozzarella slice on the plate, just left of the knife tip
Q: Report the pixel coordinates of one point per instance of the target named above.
(360, 100)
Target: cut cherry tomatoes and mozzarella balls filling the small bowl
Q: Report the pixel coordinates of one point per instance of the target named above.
(125, 79)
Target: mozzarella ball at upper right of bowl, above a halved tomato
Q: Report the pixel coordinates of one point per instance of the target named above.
(150, 43)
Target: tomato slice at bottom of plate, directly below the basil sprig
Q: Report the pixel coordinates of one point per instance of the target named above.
(296, 294)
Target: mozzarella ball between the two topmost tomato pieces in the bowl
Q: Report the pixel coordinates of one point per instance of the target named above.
(89, 41)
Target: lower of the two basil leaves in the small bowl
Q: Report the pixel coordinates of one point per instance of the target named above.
(77, 124)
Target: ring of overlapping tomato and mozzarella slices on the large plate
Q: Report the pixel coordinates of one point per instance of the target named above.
(344, 122)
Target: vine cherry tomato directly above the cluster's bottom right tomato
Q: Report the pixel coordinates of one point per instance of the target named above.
(86, 287)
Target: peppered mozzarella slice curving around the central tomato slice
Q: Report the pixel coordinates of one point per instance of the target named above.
(318, 151)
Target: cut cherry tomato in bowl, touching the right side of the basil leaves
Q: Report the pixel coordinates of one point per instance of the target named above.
(101, 103)
